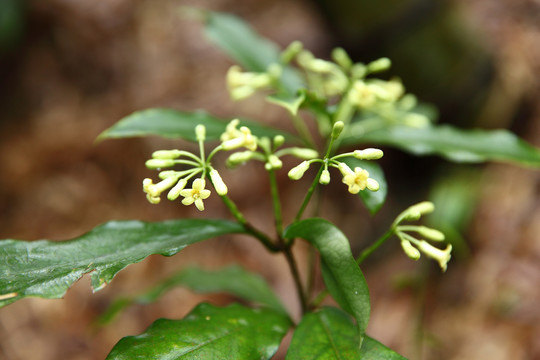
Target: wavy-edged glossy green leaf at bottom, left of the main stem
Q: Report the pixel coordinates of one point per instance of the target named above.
(209, 332)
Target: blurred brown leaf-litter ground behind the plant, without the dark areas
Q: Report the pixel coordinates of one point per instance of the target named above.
(84, 65)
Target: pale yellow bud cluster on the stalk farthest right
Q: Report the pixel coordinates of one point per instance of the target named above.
(414, 246)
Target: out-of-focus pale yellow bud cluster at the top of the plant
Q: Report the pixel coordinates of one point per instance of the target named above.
(339, 77)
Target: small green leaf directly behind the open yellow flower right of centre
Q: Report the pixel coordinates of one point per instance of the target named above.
(373, 200)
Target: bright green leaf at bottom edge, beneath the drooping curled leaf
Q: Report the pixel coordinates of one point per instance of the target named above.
(330, 334)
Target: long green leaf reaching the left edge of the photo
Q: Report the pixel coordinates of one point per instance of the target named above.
(47, 269)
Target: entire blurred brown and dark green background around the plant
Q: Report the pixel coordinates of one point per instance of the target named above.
(71, 69)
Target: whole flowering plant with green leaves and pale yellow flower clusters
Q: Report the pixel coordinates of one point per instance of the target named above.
(349, 107)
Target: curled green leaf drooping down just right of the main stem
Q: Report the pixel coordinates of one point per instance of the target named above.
(348, 285)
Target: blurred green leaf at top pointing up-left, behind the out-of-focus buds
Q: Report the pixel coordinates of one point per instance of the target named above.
(252, 51)
